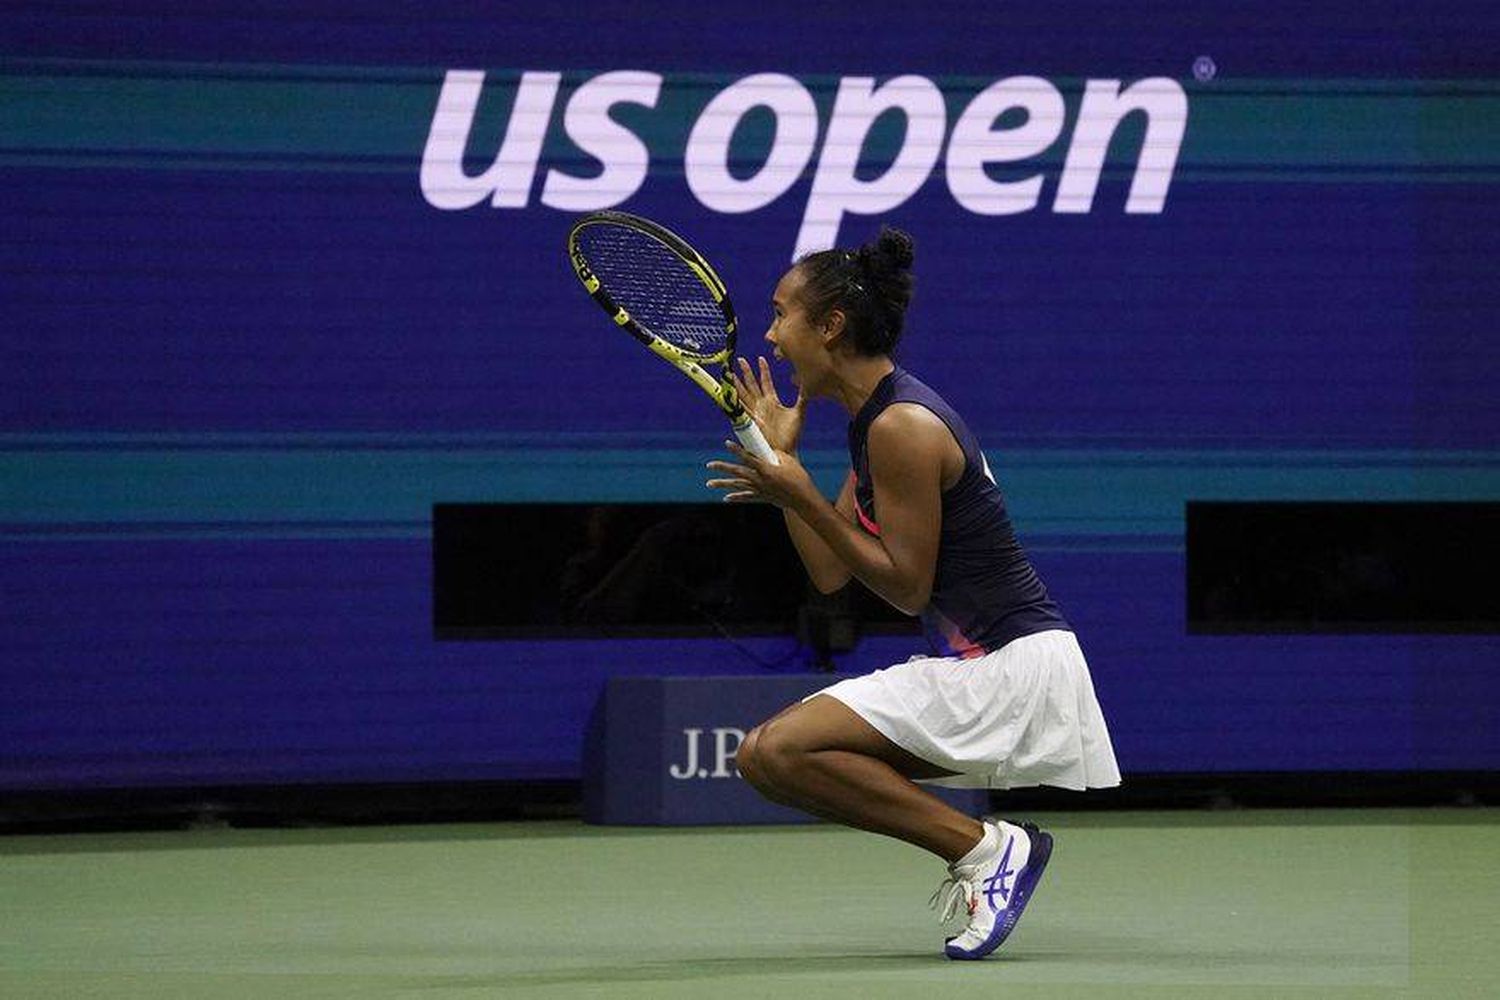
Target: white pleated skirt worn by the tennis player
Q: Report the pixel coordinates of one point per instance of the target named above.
(1018, 717)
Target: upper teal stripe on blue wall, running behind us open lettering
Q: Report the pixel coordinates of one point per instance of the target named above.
(67, 113)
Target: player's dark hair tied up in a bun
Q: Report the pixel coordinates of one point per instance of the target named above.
(872, 287)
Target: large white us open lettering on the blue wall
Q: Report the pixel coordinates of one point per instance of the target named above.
(1006, 124)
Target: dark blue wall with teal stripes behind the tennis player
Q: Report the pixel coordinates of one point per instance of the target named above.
(245, 353)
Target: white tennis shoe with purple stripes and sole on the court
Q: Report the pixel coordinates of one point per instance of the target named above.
(995, 888)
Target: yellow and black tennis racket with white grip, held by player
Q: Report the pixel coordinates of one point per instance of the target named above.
(667, 296)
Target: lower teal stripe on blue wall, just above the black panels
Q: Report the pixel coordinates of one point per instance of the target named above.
(382, 493)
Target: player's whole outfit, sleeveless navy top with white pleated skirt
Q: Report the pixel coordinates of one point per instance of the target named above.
(1006, 699)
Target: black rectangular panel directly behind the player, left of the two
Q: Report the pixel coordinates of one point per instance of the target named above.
(577, 570)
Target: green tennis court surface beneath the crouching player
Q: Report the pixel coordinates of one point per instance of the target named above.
(1387, 903)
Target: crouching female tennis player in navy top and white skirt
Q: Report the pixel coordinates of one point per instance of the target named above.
(1006, 698)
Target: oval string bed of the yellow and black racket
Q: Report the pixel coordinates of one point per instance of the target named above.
(658, 289)
